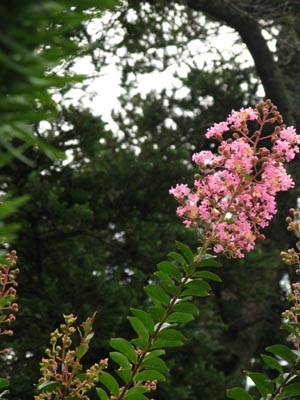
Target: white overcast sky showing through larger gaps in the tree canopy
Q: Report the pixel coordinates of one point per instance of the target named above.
(103, 91)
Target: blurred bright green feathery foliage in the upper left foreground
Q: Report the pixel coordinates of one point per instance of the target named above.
(35, 38)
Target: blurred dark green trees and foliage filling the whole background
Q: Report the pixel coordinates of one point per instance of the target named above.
(98, 216)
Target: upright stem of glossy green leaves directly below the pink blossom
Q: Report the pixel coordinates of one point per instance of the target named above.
(140, 360)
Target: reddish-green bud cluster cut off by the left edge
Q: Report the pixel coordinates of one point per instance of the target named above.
(8, 282)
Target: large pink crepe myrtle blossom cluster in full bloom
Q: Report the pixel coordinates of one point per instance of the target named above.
(233, 196)
